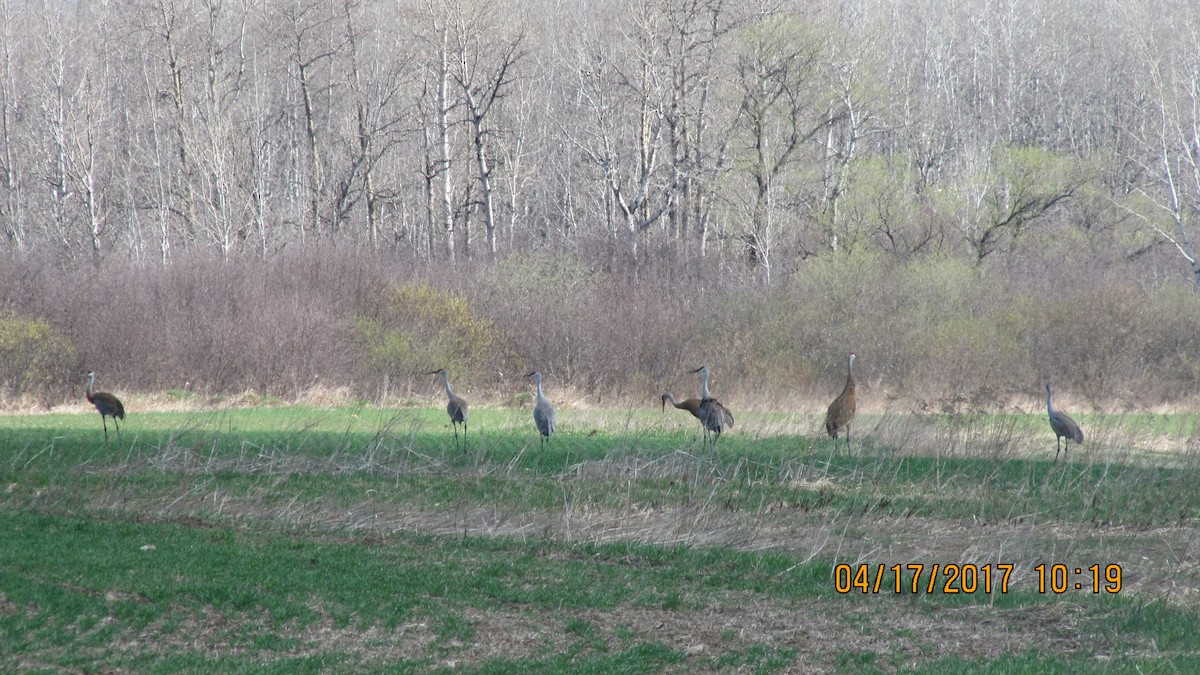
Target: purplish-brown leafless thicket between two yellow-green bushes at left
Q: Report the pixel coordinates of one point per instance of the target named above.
(214, 326)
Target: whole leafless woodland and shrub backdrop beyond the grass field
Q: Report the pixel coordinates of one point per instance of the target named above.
(295, 196)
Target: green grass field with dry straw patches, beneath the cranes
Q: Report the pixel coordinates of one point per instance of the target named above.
(350, 540)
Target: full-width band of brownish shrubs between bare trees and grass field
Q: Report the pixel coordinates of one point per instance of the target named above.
(931, 333)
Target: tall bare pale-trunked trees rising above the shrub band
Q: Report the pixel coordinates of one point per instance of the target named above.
(759, 134)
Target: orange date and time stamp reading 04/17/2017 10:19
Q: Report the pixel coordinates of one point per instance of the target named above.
(970, 578)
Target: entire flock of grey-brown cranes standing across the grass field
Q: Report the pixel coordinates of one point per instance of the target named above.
(713, 416)
